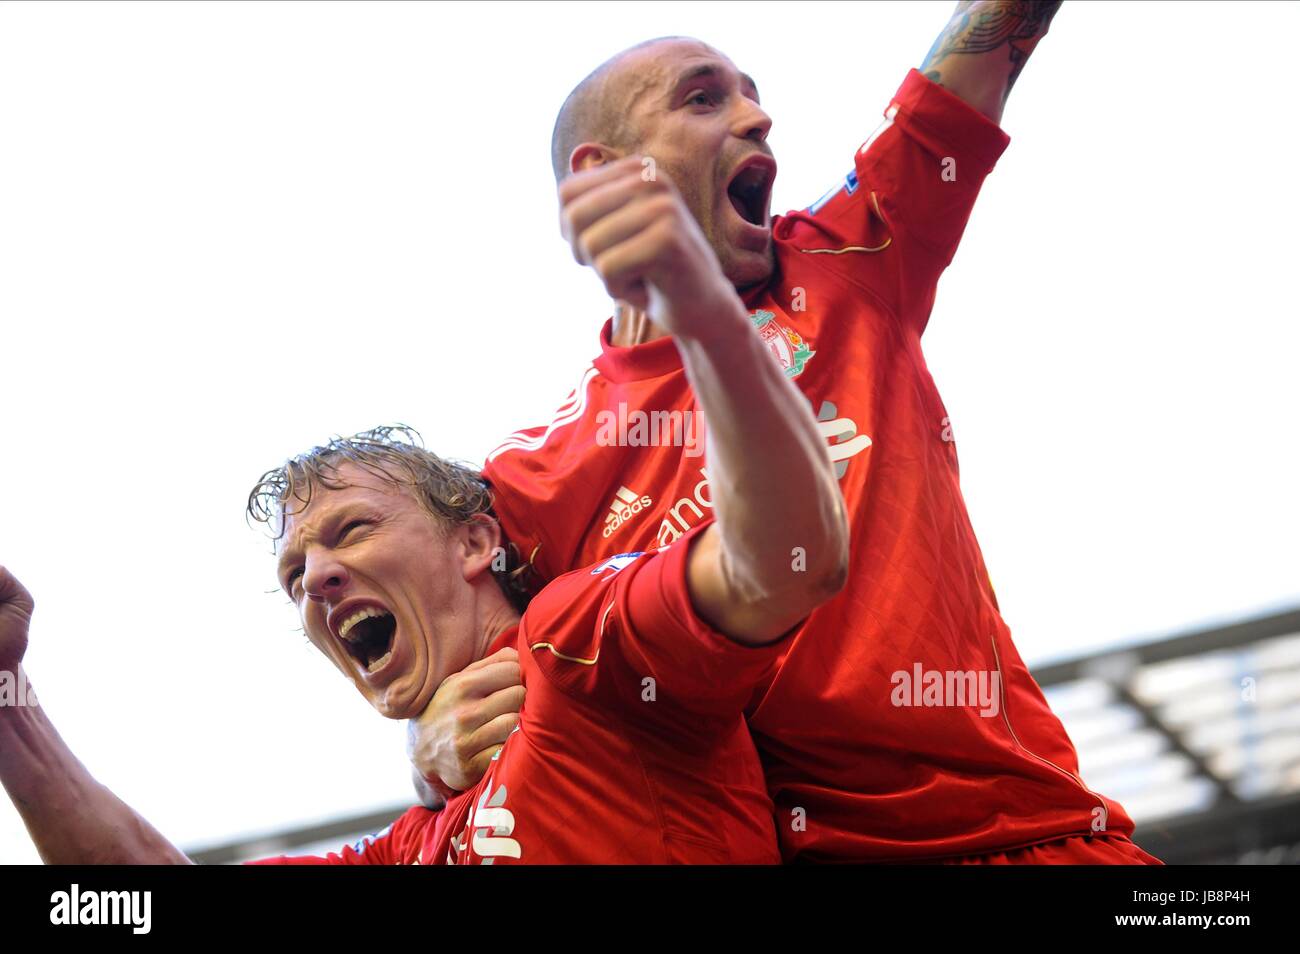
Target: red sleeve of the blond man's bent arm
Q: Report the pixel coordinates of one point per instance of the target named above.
(651, 657)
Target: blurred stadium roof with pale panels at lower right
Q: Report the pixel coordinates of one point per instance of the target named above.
(1198, 736)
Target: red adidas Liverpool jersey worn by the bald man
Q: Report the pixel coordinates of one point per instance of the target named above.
(902, 722)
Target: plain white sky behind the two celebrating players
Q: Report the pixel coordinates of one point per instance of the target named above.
(231, 231)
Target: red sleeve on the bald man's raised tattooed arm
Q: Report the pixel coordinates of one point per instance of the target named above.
(895, 224)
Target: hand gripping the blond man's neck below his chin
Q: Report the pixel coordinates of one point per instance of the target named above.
(466, 723)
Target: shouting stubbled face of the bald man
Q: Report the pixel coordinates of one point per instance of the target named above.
(699, 118)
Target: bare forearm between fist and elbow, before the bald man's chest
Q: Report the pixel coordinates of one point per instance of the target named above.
(778, 506)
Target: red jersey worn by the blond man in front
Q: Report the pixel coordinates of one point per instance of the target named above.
(631, 747)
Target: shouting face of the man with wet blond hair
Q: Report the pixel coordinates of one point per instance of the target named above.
(382, 591)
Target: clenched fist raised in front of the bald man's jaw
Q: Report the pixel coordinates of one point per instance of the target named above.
(629, 223)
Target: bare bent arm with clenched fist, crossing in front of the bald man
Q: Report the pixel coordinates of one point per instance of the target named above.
(779, 544)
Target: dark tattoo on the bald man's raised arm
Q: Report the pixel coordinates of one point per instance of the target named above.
(1013, 24)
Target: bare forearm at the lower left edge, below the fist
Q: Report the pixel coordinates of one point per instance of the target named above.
(71, 817)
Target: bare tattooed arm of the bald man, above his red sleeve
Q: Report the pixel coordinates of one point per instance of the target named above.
(985, 47)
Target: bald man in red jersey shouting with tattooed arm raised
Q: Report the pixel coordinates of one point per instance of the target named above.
(902, 723)
